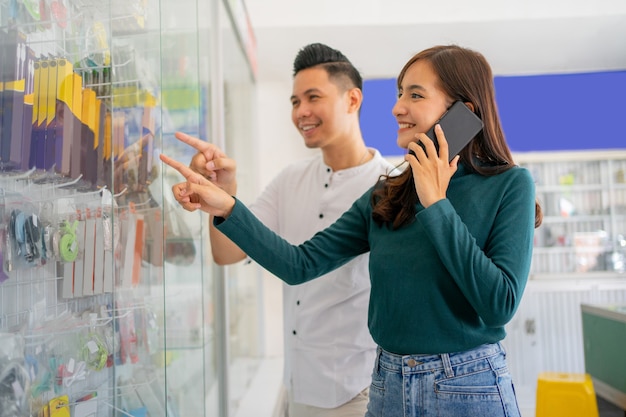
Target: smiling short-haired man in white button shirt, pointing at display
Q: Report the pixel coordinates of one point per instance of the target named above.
(329, 353)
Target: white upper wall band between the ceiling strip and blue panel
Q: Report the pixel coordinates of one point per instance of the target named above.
(513, 47)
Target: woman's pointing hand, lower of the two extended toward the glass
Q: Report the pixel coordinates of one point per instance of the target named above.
(198, 193)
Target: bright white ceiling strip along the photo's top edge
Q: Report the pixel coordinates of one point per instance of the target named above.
(284, 13)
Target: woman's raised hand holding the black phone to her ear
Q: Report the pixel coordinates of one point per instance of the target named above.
(431, 172)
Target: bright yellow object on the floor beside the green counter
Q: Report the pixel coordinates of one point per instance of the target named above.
(565, 395)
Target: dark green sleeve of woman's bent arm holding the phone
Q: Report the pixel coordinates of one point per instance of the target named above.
(492, 277)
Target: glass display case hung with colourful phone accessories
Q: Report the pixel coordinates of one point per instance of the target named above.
(109, 302)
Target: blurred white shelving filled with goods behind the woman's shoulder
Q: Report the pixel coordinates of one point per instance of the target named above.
(583, 197)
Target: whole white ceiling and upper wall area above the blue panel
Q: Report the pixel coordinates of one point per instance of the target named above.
(517, 36)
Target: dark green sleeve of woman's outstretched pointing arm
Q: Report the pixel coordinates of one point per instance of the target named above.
(295, 264)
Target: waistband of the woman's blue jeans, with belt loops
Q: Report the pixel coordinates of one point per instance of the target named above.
(418, 362)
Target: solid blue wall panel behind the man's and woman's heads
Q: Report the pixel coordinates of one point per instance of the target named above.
(539, 113)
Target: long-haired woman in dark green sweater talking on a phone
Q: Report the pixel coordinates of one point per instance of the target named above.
(450, 248)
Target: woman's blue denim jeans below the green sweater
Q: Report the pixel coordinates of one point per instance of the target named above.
(474, 383)
